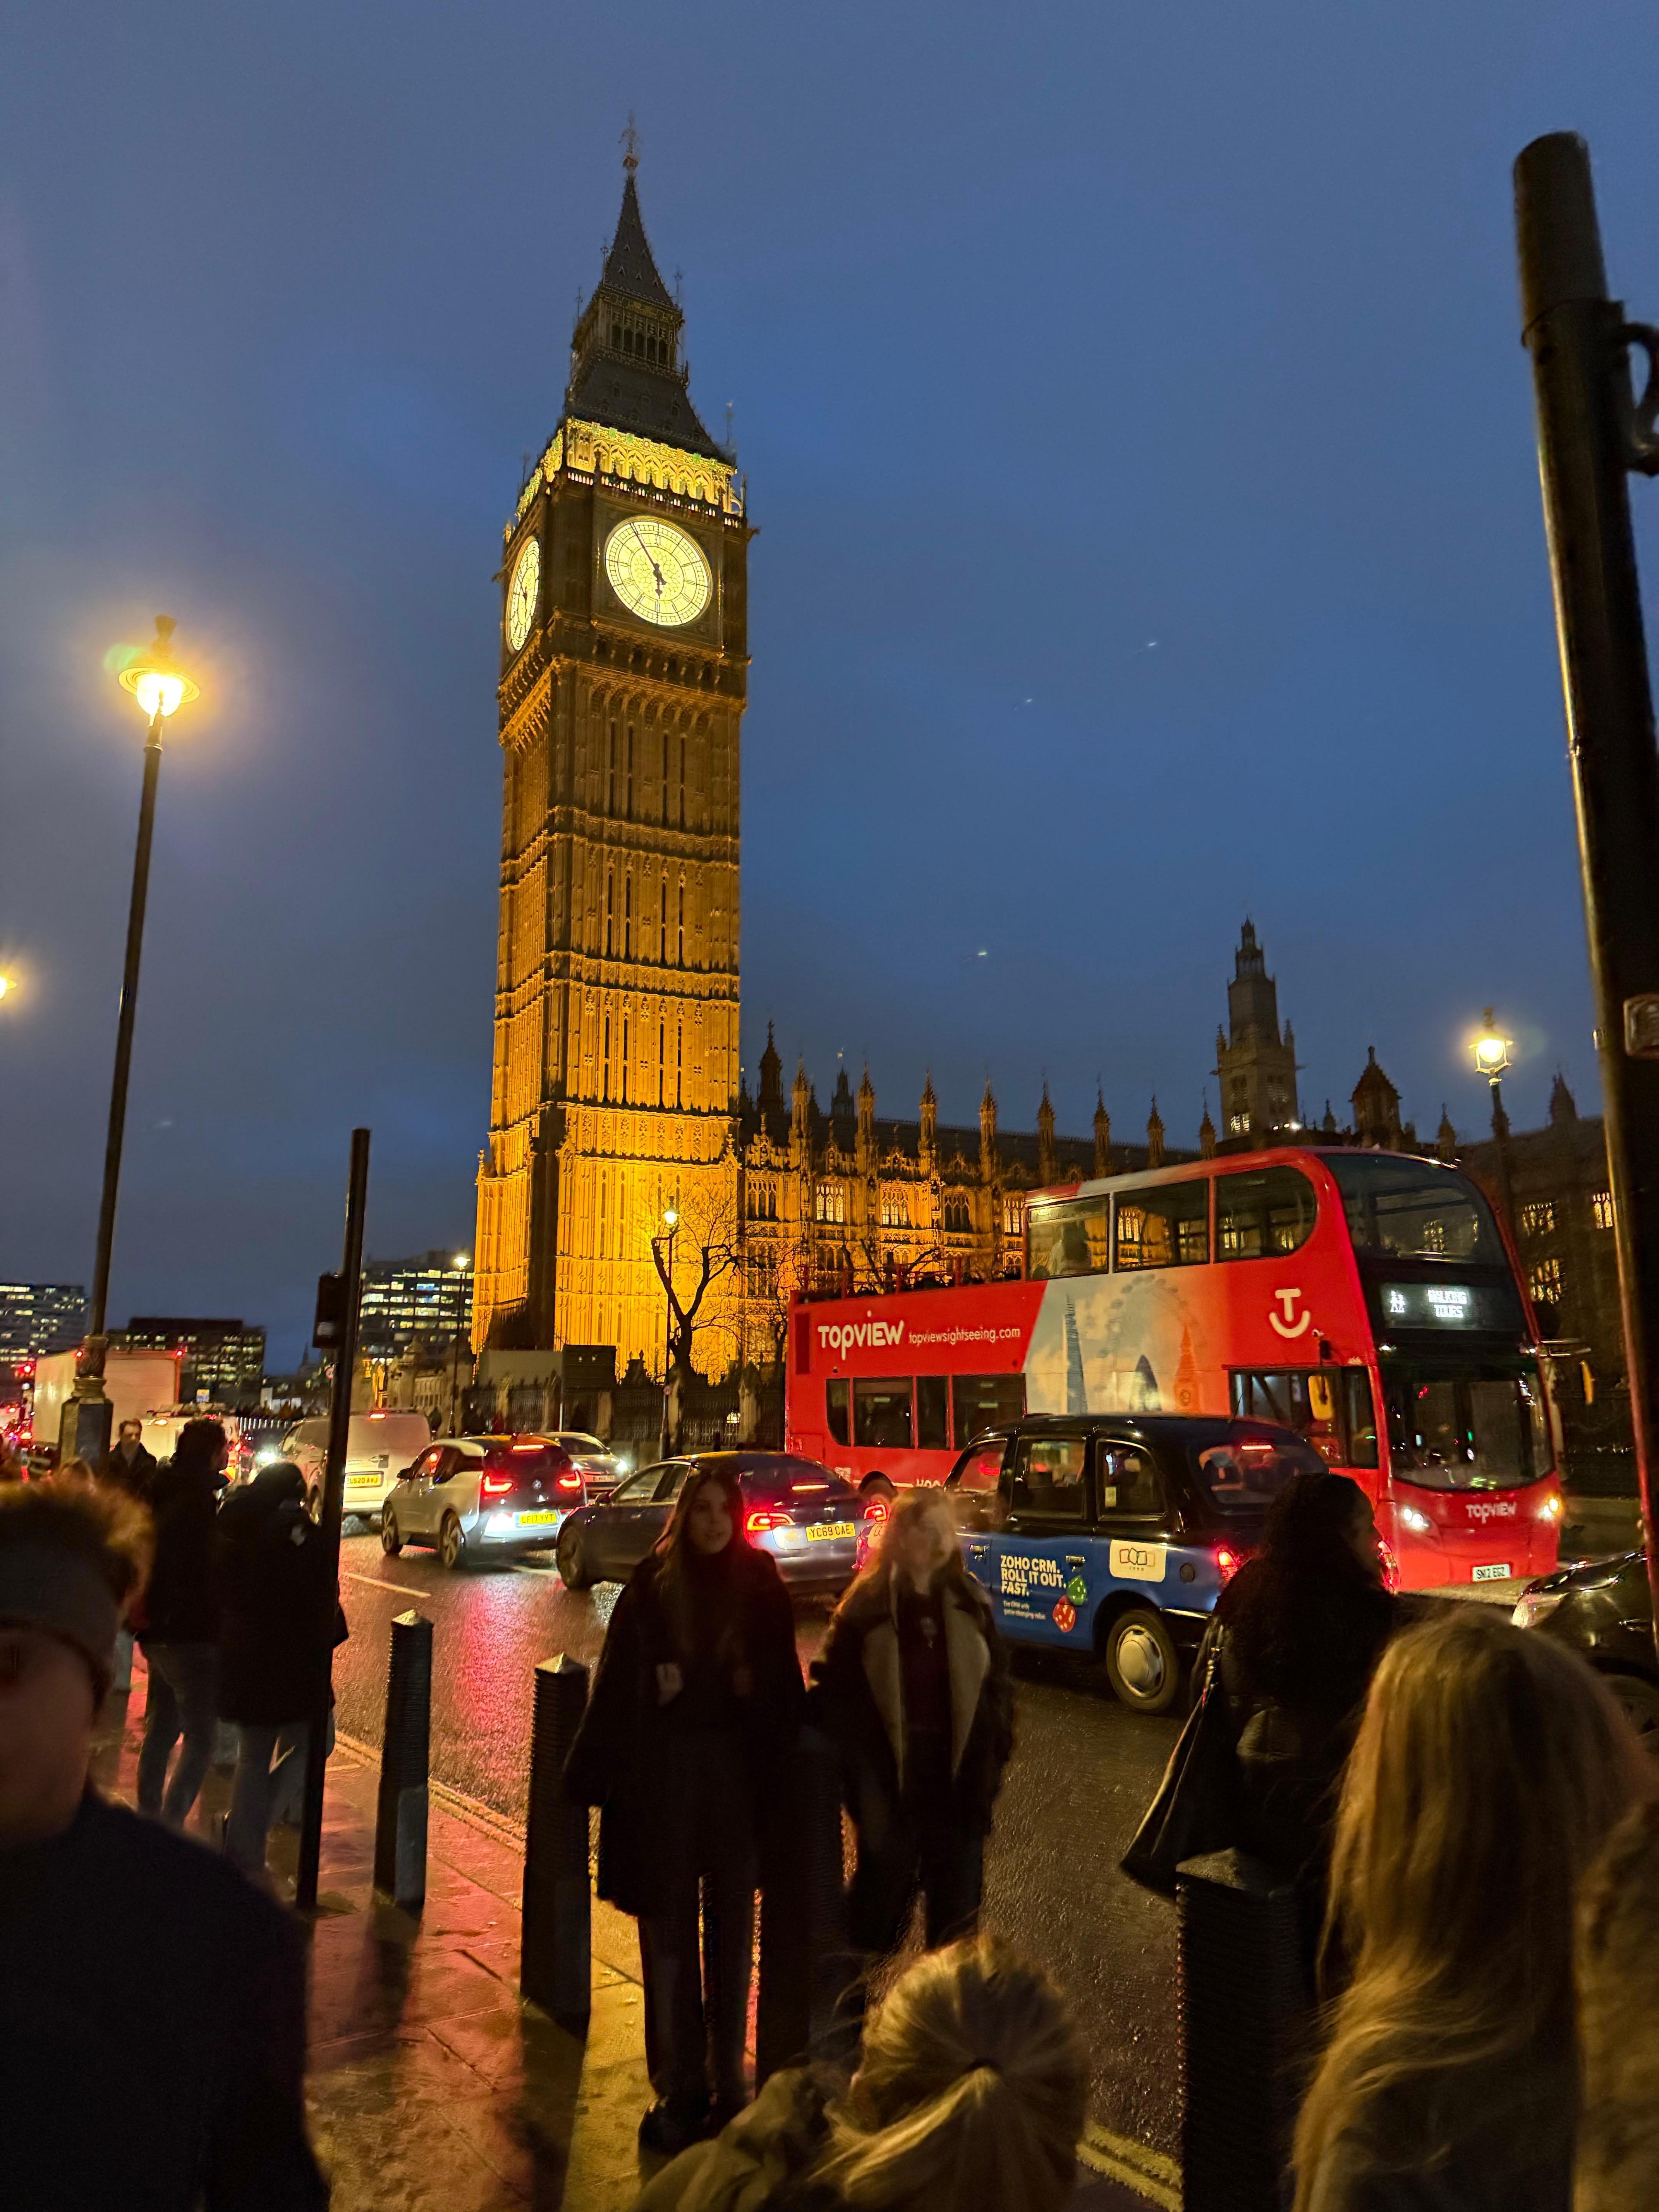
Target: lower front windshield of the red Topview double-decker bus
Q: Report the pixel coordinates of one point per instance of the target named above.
(1465, 1432)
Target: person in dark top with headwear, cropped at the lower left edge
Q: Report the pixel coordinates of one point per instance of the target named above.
(145, 1985)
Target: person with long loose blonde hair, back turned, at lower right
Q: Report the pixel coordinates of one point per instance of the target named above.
(1488, 1773)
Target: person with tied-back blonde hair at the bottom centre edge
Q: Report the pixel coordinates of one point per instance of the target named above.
(970, 2098)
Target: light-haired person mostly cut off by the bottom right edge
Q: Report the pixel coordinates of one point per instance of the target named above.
(1618, 2158)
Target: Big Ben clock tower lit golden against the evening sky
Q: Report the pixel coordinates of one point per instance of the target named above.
(625, 674)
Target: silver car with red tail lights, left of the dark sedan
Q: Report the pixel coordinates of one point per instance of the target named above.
(481, 1499)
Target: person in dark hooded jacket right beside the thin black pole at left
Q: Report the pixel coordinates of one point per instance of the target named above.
(282, 1618)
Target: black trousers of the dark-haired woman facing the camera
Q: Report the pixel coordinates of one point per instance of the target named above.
(698, 1992)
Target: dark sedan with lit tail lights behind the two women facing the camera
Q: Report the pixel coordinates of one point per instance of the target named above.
(800, 1512)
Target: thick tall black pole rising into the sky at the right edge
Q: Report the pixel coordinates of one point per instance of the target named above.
(1585, 448)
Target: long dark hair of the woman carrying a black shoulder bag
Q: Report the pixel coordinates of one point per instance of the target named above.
(1306, 1616)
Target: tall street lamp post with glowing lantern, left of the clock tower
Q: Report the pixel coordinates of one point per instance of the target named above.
(160, 689)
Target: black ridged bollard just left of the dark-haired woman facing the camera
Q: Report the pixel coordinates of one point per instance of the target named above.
(556, 1957)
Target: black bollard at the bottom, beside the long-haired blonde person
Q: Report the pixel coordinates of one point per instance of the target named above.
(1244, 2014)
